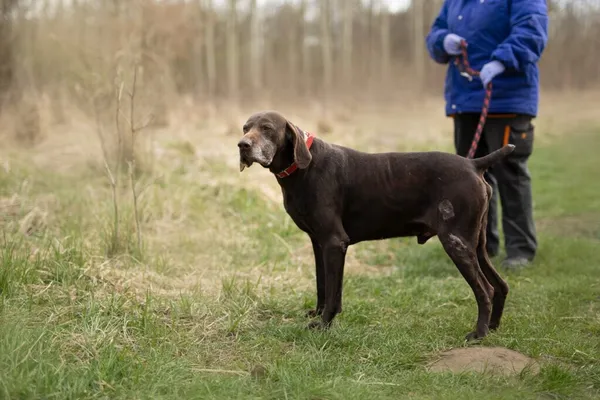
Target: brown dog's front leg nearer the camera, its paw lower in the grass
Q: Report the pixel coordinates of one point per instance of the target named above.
(334, 257)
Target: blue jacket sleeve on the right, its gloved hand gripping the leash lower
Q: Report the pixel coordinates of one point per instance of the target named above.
(528, 36)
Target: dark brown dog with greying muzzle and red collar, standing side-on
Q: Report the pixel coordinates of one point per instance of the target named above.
(340, 196)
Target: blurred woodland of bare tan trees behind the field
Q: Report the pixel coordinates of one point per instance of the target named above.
(72, 53)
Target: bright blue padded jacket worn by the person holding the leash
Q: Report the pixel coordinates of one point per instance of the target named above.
(514, 32)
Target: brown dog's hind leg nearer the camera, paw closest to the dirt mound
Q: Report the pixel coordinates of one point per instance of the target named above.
(463, 253)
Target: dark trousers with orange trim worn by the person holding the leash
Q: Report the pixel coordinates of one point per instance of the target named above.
(509, 178)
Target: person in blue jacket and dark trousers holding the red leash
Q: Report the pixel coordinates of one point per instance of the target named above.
(505, 40)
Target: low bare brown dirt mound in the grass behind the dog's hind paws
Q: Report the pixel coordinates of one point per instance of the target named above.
(495, 360)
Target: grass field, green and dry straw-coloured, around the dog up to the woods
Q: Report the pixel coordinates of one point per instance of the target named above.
(212, 306)
